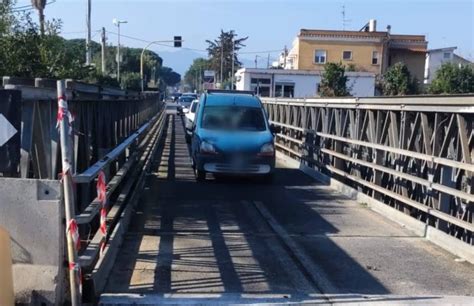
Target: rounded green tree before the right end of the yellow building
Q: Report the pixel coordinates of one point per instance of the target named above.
(397, 81)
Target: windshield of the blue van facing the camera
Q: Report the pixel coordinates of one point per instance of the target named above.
(233, 118)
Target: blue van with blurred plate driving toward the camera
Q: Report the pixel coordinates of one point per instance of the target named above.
(231, 135)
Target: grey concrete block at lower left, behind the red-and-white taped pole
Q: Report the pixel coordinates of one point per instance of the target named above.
(31, 211)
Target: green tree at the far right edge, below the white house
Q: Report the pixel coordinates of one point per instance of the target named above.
(451, 78)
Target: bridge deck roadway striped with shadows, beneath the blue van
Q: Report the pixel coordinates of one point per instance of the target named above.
(229, 239)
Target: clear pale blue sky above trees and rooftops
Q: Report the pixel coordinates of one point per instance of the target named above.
(269, 24)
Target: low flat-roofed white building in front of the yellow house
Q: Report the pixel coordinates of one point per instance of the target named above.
(298, 83)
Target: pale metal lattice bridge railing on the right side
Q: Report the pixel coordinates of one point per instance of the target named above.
(415, 154)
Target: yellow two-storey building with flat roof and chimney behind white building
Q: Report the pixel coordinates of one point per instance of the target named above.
(366, 50)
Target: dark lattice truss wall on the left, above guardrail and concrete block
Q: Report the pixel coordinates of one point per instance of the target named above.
(103, 118)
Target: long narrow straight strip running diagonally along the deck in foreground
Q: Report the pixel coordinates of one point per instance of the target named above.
(316, 275)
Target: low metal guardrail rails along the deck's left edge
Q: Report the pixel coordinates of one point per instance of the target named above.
(122, 193)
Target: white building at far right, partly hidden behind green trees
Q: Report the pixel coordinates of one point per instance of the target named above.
(437, 57)
